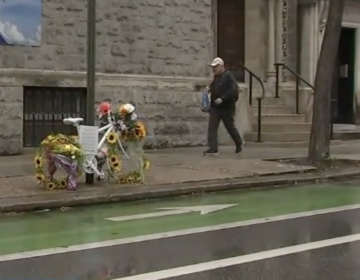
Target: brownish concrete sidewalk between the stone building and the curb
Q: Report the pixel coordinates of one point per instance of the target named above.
(174, 172)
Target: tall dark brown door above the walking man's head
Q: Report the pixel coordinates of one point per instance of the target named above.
(231, 34)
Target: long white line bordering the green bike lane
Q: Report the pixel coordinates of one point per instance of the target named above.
(114, 242)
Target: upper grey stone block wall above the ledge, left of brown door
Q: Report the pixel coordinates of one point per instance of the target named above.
(157, 37)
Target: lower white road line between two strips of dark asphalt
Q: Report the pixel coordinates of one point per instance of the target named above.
(201, 267)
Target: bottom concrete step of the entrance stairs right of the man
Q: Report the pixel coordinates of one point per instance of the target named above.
(278, 137)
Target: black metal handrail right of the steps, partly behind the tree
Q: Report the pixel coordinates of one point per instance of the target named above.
(298, 78)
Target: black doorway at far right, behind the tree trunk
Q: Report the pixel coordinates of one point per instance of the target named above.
(344, 78)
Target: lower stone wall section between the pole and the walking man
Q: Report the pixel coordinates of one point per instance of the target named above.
(170, 107)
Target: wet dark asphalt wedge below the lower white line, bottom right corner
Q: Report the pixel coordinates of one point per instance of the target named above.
(337, 262)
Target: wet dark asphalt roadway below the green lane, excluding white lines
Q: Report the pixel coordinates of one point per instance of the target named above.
(122, 261)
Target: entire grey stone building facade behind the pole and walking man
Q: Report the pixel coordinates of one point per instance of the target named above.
(156, 53)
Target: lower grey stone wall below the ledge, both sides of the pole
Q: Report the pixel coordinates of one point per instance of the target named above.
(170, 107)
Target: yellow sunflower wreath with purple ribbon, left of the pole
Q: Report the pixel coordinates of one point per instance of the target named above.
(58, 150)
